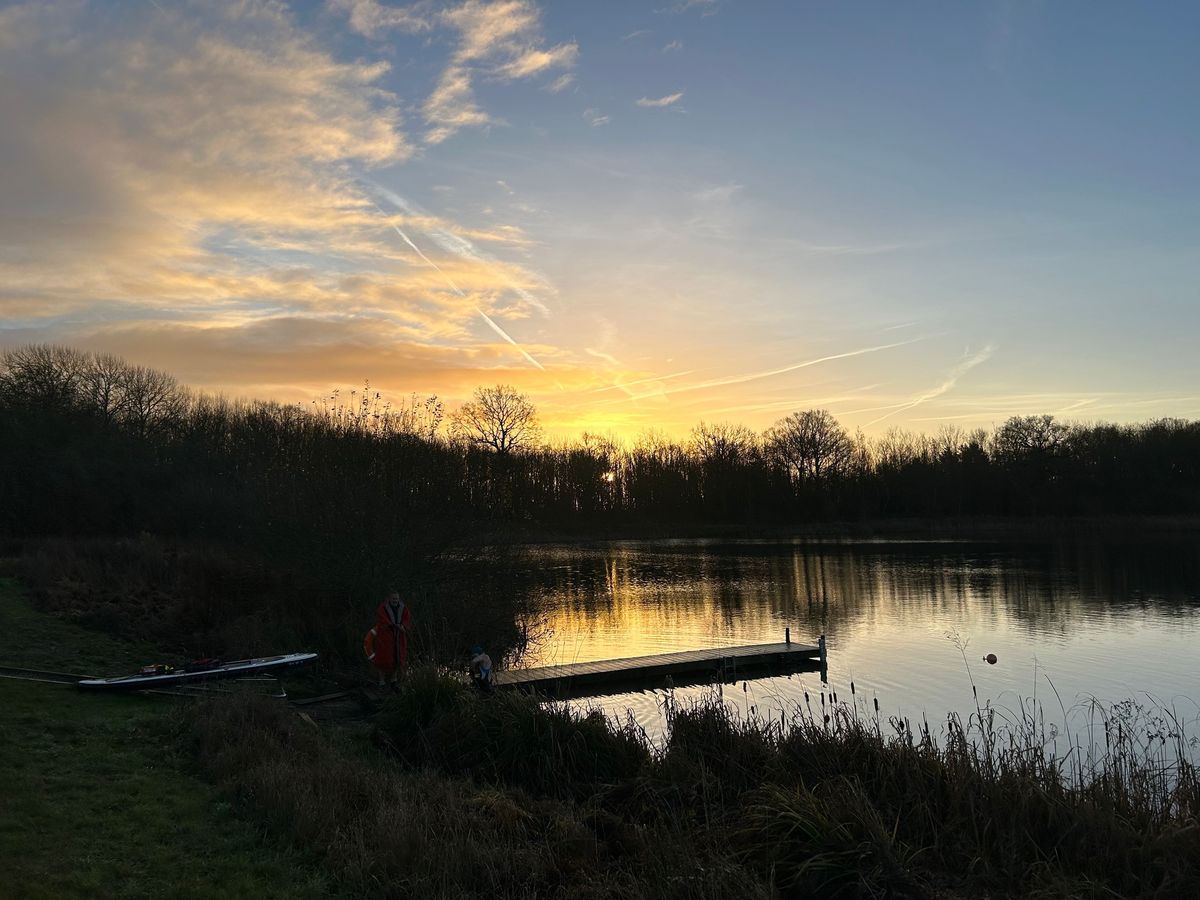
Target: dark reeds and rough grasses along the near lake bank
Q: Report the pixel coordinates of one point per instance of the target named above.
(499, 796)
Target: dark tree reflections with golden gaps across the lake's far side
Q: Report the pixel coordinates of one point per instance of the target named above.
(727, 591)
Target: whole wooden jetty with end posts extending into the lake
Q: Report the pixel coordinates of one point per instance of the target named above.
(688, 667)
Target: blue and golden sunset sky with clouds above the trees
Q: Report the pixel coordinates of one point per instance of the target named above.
(644, 215)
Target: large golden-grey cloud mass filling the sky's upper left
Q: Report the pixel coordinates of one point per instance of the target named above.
(199, 169)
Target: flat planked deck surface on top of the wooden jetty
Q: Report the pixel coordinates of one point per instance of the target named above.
(717, 659)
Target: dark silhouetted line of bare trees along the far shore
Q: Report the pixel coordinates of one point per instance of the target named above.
(91, 445)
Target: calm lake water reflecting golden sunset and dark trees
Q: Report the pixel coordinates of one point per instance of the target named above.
(1107, 620)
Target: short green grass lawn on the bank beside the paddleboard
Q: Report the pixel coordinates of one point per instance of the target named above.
(98, 800)
